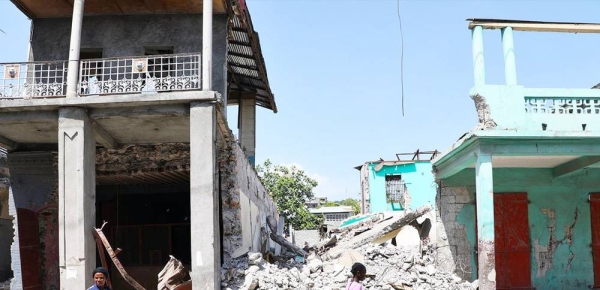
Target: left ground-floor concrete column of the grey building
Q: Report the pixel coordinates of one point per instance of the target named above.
(76, 198)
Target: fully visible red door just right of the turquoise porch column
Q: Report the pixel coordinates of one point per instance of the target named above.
(512, 243)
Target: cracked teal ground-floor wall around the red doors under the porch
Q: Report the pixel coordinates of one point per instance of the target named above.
(559, 221)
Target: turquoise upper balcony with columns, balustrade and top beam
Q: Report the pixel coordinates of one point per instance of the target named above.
(514, 110)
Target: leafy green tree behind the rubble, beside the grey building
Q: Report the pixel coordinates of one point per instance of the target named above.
(290, 189)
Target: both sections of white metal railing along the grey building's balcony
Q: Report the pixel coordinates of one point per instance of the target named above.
(106, 76)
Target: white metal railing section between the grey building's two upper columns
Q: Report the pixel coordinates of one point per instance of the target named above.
(172, 72)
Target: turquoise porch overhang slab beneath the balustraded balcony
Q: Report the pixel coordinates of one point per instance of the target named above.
(566, 153)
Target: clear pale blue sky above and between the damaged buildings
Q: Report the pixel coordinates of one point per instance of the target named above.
(334, 66)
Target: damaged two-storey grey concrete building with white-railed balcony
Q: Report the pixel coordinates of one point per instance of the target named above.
(120, 115)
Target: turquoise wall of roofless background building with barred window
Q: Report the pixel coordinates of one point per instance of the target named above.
(419, 180)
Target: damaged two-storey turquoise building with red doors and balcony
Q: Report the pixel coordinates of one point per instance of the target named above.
(518, 201)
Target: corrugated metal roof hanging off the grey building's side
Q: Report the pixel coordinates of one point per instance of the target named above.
(244, 60)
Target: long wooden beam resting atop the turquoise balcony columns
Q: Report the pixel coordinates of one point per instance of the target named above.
(537, 26)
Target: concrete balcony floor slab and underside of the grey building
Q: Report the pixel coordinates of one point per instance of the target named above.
(125, 119)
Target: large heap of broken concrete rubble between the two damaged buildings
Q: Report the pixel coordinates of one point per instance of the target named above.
(392, 250)
